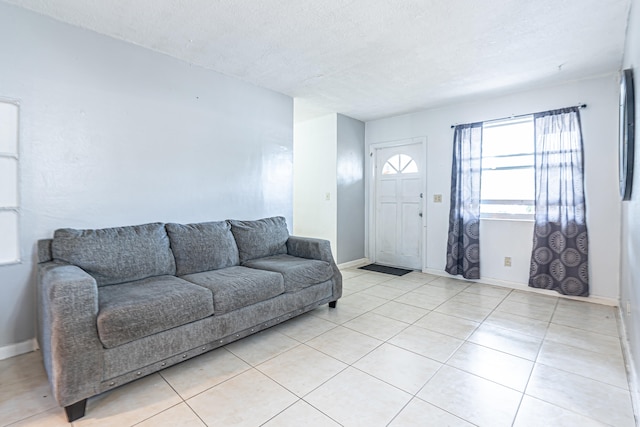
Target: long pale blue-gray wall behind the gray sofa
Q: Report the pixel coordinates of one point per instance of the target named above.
(112, 134)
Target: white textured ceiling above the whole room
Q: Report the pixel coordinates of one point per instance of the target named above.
(370, 58)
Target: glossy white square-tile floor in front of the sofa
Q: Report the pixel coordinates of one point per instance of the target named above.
(412, 351)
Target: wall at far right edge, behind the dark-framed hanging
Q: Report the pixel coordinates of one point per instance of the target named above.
(630, 248)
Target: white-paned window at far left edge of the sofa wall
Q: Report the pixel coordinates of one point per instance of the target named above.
(9, 249)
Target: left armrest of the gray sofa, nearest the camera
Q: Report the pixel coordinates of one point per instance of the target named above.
(68, 335)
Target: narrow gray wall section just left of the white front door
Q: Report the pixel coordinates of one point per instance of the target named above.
(350, 182)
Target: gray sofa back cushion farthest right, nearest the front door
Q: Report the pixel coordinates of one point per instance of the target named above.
(260, 238)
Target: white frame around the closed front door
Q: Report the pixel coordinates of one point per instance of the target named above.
(372, 154)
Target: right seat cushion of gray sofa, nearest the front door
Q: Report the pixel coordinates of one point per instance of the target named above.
(298, 273)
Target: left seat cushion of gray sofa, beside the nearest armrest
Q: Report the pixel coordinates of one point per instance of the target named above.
(134, 310)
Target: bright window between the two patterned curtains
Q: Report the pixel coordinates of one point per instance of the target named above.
(508, 177)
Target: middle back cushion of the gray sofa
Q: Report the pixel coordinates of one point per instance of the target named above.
(202, 247)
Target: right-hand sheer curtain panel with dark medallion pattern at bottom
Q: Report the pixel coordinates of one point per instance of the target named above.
(560, 259)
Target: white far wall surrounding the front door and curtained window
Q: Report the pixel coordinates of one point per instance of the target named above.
(511, 238)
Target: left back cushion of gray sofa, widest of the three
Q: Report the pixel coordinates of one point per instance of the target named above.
(116, 255)
